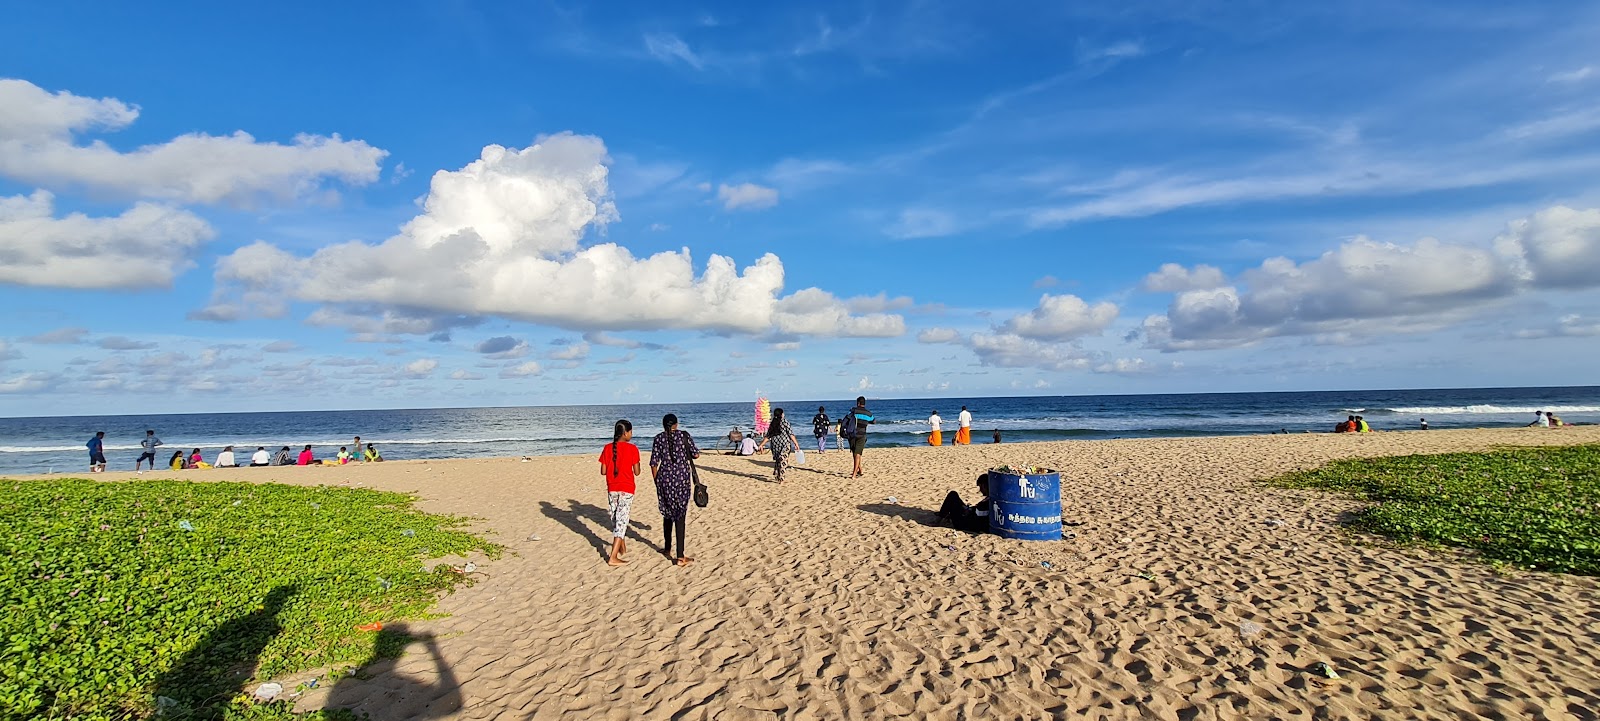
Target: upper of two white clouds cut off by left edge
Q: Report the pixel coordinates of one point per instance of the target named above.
(38, 146)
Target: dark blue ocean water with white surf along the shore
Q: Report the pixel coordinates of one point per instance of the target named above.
(44, 445)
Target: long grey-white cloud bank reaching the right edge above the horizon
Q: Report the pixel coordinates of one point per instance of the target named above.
(1366, 289)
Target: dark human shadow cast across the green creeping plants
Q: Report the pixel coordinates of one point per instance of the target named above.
(225, 661)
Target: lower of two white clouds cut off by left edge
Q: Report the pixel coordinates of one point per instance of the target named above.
(145, 247)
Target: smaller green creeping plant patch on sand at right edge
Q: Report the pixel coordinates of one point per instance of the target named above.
(1530, 508)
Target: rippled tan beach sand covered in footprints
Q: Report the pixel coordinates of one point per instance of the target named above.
(822, 600)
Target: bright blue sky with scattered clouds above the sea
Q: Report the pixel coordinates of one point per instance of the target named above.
(449, 204)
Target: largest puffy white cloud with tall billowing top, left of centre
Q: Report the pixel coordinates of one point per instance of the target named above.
(503, 237)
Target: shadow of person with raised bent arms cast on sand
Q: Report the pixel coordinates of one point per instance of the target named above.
(414, 699)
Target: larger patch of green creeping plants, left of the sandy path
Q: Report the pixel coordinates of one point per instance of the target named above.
(121, 594)
